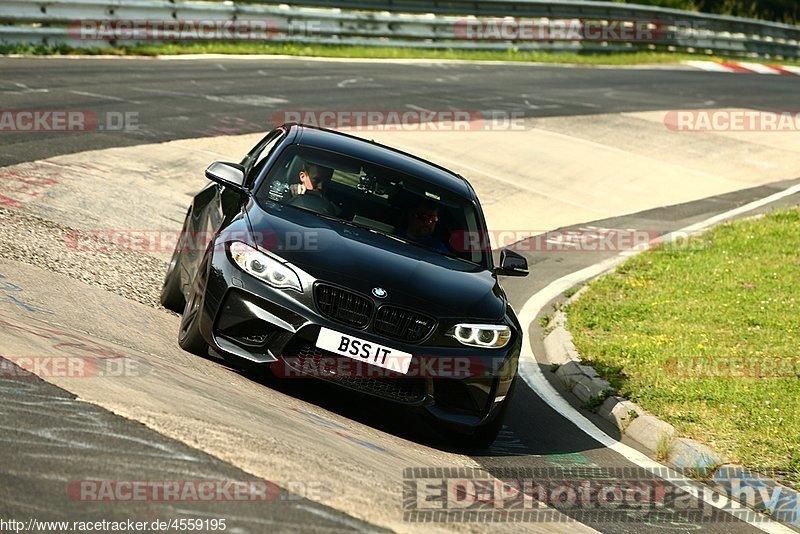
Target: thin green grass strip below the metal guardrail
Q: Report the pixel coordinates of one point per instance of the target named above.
(374, 52)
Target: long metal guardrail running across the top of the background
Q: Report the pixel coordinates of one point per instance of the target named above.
(411, 24)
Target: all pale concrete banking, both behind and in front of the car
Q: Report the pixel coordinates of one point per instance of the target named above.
(551, 175)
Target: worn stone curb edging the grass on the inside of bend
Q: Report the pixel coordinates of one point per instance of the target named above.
(751, 489)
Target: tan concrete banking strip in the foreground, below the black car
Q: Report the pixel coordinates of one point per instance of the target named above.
(280, 437)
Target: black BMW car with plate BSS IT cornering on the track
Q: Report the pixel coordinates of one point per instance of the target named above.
(325, 255)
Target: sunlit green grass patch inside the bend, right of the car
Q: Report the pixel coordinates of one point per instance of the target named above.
(732, 292)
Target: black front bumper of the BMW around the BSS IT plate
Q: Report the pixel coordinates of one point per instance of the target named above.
(461, 387)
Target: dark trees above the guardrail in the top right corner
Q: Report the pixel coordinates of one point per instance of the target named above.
(778, 10)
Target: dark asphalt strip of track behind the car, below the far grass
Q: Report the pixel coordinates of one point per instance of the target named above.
(180, 99)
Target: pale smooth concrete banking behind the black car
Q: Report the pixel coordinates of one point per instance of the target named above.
(556, 172)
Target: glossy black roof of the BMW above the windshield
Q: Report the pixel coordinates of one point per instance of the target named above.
(377, 153)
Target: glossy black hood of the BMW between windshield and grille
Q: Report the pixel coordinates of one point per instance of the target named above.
(361, 259)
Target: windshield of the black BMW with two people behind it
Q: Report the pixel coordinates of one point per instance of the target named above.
(378, 198)
